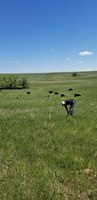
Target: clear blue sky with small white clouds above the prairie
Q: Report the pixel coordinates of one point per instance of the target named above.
(39, 36)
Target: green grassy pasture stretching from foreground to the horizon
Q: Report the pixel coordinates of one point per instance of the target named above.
(45, 154)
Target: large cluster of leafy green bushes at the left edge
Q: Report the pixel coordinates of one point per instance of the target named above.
(13, 82)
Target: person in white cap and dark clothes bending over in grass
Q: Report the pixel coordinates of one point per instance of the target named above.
(69, 104)
